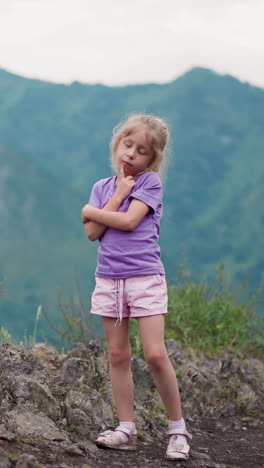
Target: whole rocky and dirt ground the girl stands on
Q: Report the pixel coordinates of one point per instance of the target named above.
(52, 406)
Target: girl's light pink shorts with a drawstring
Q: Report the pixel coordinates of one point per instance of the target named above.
(140, 296)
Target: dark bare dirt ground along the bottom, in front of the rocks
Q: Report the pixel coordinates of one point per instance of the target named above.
(217, 443)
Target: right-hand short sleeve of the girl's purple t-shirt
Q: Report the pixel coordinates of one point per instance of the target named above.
(149, 190)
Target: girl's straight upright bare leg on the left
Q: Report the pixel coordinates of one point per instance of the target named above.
(120, 368)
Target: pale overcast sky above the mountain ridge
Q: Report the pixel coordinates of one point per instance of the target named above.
(118, 42)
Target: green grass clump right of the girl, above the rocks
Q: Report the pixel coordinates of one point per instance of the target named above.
(214, 318)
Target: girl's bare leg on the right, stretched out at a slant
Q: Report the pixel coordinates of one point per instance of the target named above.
(152, 335)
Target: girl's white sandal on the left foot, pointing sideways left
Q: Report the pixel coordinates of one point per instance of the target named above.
(112, 439)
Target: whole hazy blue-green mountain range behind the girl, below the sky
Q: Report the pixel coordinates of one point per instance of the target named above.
(213, 187)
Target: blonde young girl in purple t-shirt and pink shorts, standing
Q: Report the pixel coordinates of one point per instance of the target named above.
(124, 214)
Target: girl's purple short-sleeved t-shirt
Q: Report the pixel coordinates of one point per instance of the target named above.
(124, 254)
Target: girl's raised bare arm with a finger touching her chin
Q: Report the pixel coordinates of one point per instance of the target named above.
(93, 228)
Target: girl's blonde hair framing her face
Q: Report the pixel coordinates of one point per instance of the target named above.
(156, 128)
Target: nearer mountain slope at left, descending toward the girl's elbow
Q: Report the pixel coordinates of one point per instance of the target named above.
(43, 245)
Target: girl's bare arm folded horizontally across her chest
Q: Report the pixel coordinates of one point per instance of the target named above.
(118, 220)
